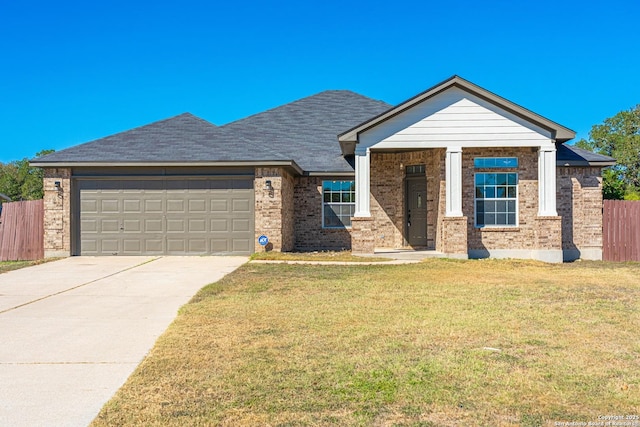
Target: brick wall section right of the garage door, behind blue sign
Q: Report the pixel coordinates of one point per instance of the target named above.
(274, 210)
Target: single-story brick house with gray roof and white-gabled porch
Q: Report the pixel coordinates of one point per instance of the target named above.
(455, 169)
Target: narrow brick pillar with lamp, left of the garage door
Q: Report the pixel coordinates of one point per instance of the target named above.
(57, 213)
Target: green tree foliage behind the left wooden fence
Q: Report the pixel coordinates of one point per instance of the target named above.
(20, 181)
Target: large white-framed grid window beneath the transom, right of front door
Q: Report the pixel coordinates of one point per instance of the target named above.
(496, 199)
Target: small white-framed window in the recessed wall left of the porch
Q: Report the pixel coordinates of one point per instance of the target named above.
(338, 203)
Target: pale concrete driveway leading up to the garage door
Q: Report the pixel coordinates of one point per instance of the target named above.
(72, 331)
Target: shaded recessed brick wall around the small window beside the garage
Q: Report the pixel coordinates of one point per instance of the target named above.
(309, 234)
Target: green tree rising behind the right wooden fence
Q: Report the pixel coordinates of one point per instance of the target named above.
(618, 137)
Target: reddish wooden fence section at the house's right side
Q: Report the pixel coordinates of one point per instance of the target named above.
(621, 230)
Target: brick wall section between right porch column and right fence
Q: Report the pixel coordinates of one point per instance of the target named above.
(580, 206)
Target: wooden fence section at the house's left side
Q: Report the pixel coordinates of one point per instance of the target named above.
(22, 231)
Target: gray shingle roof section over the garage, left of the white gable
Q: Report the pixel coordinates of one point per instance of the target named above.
(304, 131)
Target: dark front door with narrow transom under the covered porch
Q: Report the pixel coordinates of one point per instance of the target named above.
(416, 214)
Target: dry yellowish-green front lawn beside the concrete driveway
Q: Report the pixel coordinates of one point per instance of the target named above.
(440, 343)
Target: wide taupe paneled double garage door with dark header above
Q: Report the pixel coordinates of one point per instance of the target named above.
(166, 216)
